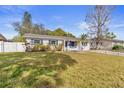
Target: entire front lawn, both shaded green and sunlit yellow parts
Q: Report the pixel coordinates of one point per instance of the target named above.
(68, 69)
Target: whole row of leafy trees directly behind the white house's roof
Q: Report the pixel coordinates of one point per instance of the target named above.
(26, 26)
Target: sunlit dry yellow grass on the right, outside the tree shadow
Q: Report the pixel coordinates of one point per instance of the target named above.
(95, 70)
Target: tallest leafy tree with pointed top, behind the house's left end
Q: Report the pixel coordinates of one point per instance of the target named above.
(28, 27)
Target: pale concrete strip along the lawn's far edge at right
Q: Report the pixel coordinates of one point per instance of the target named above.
(108, 52)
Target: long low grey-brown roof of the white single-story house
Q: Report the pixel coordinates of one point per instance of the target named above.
(37, 36)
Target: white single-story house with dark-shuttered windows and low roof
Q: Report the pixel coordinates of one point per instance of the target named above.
(68, 43)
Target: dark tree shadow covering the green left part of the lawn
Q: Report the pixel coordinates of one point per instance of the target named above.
(34, 69)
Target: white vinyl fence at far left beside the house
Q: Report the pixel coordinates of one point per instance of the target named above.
(12, 47)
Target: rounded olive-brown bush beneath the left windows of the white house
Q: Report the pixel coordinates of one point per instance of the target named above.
(38, 48)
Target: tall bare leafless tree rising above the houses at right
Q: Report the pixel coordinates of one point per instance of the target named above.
(97, 22)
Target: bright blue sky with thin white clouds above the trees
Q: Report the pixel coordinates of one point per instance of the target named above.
(70, 18)
